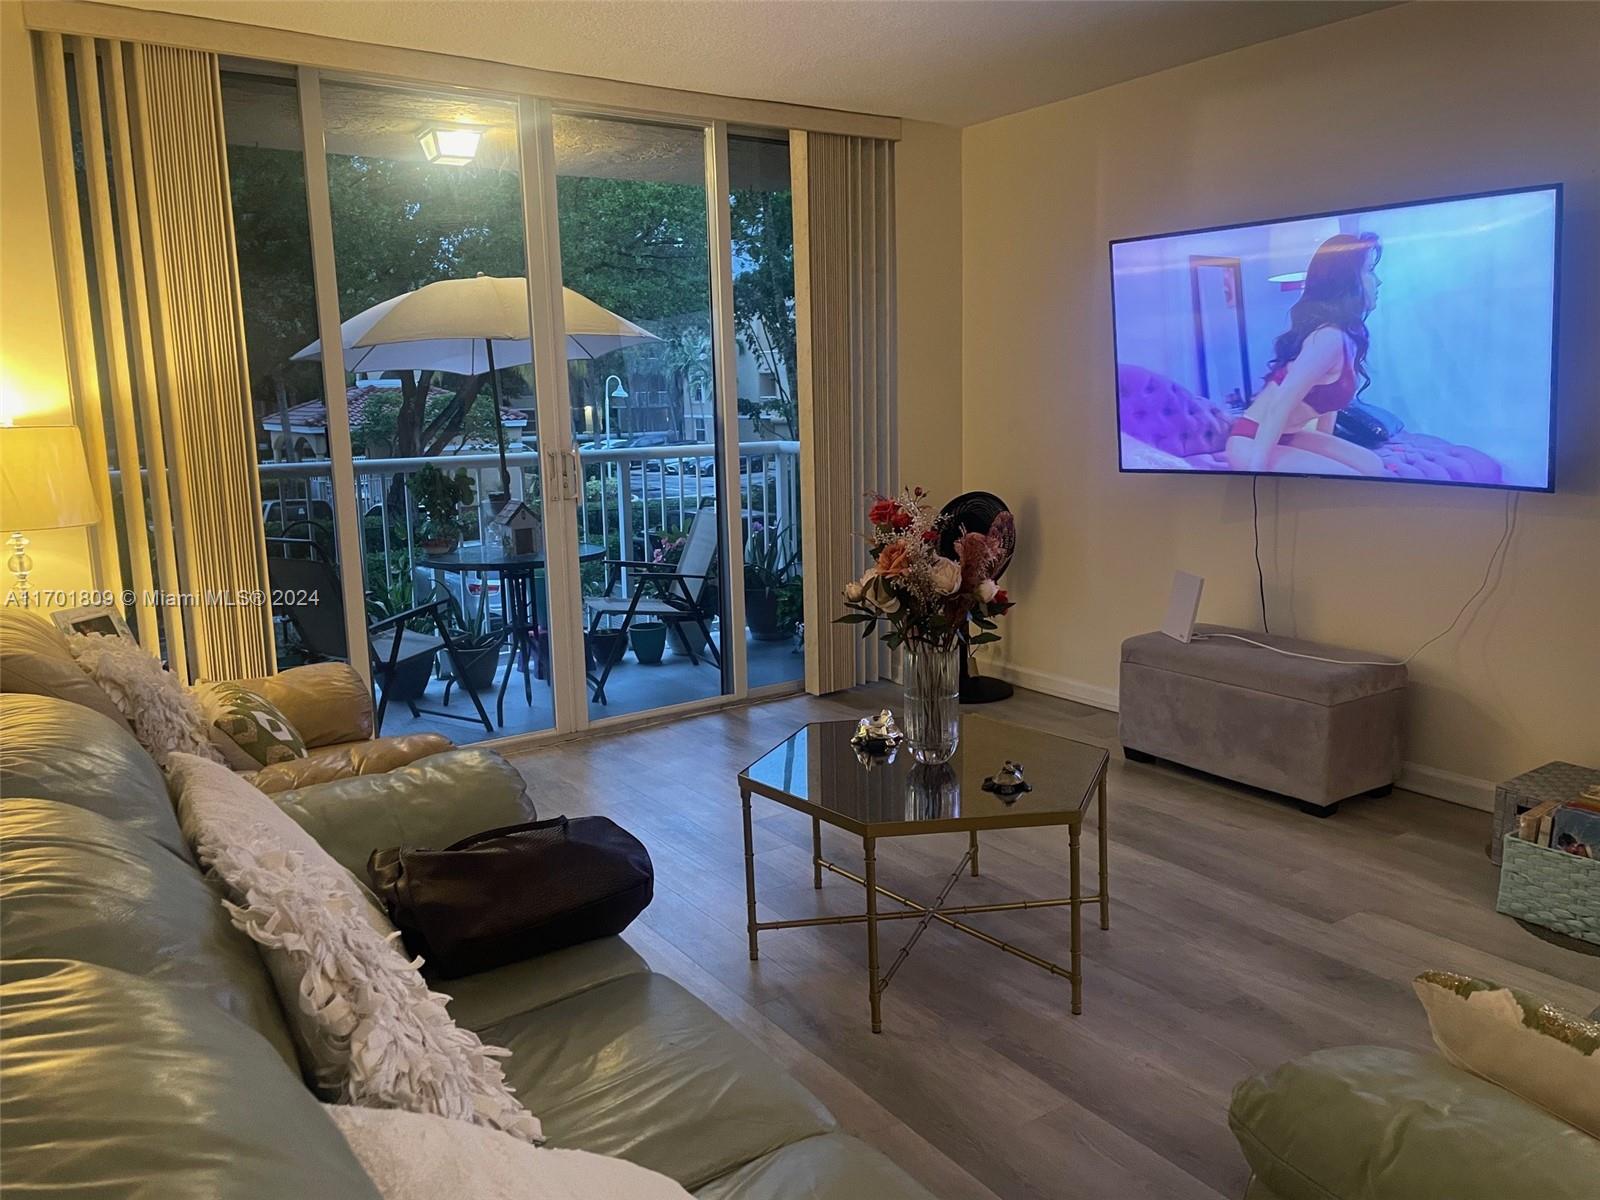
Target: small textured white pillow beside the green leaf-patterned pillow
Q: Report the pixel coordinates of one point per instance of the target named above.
(166, 718)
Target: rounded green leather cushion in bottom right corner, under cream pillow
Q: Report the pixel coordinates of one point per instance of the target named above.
(1375, 1124)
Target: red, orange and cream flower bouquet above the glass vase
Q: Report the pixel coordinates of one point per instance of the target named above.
(926, 598)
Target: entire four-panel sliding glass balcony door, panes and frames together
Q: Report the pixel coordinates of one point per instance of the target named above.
(519, 522)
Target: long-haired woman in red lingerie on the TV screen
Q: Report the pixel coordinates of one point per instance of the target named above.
(1314, 369)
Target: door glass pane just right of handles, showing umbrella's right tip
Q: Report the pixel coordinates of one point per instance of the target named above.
(636, 273)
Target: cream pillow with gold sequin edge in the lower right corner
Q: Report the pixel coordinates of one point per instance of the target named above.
(1538, 1052)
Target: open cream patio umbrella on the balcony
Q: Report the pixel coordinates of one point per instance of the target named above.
(468, 327)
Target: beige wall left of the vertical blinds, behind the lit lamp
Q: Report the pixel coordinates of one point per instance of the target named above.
(33, 356)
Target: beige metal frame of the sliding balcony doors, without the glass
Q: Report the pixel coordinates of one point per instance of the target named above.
(561, 466)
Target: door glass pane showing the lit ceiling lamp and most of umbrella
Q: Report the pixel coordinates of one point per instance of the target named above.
(428, 231)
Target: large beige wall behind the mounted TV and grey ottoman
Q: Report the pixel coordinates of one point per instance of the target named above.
(1407, 103)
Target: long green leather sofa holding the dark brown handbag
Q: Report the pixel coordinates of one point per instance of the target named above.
(145, 1052)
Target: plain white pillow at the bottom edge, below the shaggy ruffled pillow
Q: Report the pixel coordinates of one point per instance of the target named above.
(415, 1158)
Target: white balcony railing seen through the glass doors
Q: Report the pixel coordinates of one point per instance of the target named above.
(633, 500)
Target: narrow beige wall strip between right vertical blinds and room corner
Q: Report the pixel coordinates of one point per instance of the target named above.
(929, 244)
